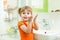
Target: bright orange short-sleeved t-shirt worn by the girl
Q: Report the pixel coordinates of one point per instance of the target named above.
(23, 35)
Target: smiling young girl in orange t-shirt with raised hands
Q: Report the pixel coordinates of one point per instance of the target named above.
(27, 24)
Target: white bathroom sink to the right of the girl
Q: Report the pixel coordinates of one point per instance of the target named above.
(46, 35)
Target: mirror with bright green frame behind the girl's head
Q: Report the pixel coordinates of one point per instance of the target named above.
(37, 5)
